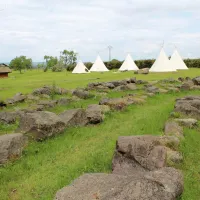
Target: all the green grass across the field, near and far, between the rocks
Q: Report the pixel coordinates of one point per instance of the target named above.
(46, 167)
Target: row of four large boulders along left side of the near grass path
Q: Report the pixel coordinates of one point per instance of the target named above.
(40, 125)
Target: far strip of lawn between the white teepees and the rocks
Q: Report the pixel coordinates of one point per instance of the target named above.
(30, 80)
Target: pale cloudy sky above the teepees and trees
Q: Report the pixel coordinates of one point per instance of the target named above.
(35, 28)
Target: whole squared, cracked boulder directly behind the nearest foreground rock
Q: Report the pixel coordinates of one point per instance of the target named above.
(145, 152)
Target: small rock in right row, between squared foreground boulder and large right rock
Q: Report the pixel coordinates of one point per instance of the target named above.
(173, 128)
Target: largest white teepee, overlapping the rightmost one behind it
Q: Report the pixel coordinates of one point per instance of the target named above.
(162, 63)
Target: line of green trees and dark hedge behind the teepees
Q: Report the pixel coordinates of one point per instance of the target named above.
(67, 61)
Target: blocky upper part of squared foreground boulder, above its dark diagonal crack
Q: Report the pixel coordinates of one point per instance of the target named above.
(147, 151)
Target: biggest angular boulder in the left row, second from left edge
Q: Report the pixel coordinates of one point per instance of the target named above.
(41, 125)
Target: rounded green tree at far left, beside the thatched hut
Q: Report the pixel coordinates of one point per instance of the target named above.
(20, 63)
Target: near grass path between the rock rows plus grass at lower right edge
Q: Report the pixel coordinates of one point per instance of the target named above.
(48, 166)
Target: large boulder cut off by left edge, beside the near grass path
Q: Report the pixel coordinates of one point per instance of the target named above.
(11, 146)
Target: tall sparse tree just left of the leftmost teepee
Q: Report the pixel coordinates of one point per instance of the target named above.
(69, 58)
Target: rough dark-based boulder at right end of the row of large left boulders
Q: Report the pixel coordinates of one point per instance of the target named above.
(94, 114)
